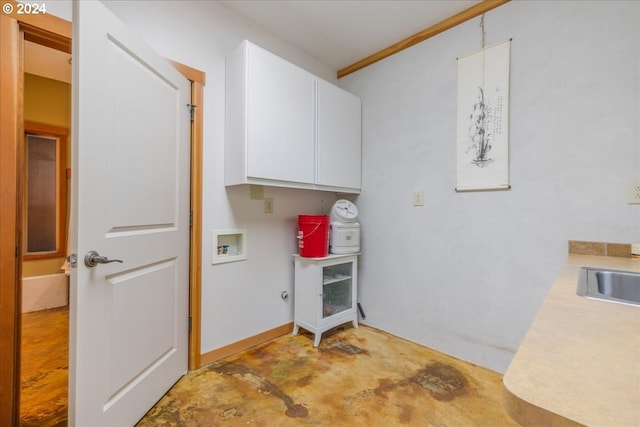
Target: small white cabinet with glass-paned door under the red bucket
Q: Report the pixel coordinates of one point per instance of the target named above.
(325, 293)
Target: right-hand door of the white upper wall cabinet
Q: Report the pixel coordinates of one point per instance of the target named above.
(339, 137)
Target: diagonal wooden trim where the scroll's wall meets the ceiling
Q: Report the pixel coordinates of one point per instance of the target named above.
(449, 23)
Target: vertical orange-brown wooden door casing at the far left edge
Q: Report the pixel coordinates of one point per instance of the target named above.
(10, 210)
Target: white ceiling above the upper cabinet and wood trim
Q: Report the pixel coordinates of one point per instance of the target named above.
(340, 33)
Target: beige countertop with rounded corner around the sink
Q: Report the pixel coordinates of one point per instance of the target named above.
(579, 363)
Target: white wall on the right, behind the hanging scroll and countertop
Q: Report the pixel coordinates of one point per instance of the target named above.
(466, 273)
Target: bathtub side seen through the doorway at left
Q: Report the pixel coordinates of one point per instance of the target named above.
(44, 292)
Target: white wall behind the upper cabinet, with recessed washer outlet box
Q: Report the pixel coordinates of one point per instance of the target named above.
(239, 299)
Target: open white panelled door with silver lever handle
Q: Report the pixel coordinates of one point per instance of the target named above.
(130, 201)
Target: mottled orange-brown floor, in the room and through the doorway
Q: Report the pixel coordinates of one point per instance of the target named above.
(356, 377)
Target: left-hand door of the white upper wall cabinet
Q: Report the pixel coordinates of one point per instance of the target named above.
(280, 135)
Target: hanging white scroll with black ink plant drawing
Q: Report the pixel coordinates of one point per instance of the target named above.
(483, 119)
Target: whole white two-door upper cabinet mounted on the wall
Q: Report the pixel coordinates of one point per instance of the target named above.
(286, 127)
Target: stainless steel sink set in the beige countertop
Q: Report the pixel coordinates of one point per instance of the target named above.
(621, 287)
